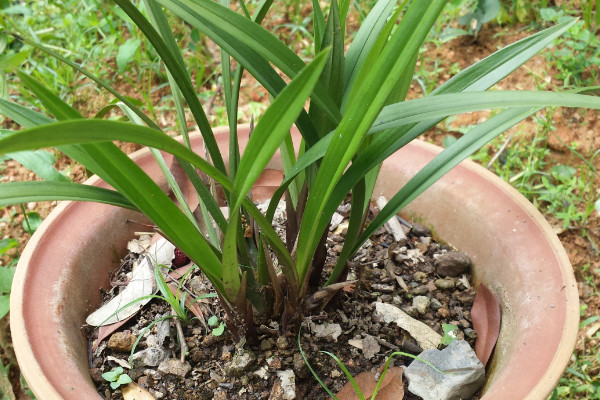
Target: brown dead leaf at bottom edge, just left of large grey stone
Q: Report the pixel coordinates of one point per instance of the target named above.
(391, 388)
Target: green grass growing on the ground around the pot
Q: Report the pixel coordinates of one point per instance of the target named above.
(566, 191)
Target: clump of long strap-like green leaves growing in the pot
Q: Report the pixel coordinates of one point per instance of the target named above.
(356, 118)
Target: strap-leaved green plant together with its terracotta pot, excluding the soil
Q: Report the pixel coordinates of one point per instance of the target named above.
(356, 119)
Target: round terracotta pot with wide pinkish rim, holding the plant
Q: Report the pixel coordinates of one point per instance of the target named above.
(514, 250)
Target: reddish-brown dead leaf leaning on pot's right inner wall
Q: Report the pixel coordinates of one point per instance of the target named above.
(486, 317)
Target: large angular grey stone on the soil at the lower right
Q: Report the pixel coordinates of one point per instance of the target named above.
(465, 374)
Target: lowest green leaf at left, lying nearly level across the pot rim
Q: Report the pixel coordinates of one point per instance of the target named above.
(24, 192)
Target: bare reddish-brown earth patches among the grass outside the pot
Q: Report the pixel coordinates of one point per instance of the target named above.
(572, 126)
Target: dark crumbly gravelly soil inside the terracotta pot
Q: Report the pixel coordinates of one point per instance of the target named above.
(215, 367)
